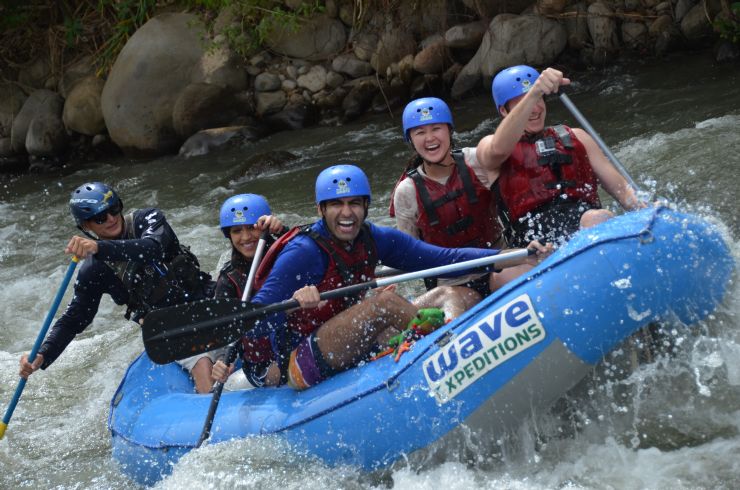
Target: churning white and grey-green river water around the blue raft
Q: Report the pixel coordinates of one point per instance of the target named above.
(673, 424)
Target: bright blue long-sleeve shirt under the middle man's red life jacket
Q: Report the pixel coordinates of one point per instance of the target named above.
(302, 262)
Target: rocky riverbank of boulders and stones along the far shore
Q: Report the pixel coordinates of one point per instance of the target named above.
(177, 87)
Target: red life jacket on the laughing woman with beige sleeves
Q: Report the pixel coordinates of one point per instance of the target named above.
(458, 213)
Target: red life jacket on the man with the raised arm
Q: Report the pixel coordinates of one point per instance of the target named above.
(550, 167)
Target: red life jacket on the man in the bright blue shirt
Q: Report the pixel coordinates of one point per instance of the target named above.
(346, 267)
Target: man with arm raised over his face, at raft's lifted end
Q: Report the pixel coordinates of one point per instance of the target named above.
(546, 177)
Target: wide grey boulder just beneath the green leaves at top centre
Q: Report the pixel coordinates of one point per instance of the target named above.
(320, 38)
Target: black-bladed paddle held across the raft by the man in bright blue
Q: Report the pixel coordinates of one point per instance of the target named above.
(184, 330)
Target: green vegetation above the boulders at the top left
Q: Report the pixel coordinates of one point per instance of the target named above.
(67, 29)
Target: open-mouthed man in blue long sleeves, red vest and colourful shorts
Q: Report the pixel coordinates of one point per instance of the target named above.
(323, 338)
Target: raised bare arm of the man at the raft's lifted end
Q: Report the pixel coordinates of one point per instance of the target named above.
(495, 148)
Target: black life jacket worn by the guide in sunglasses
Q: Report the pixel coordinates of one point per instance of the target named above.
(158, 283)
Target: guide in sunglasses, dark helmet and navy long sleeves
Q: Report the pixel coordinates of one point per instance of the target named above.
(136, 259)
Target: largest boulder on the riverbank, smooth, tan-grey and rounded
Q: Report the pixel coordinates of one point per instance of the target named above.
(155, 65)
